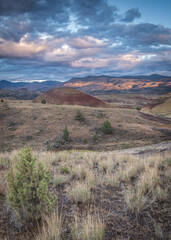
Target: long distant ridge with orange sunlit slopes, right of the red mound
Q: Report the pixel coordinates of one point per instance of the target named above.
(154, 84)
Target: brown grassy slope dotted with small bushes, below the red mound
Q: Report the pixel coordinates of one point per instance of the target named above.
(24, 122)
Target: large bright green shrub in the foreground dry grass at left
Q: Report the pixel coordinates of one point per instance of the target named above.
(28, 182)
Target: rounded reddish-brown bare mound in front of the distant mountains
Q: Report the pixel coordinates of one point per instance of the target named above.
(69, 96)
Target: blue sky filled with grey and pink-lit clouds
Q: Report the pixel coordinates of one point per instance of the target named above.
(61, 39)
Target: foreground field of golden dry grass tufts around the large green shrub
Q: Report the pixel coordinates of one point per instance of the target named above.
(100, 196)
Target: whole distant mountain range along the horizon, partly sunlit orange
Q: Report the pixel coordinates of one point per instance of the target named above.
(152, 84)
